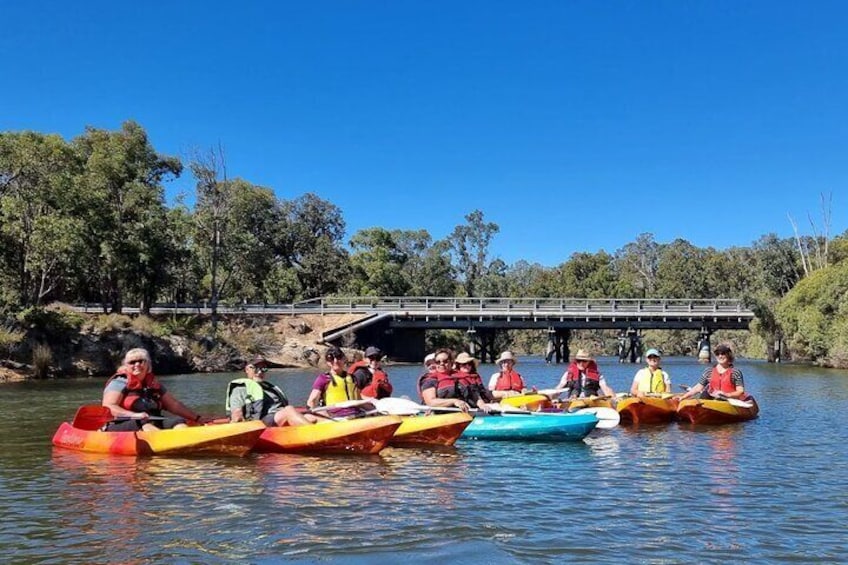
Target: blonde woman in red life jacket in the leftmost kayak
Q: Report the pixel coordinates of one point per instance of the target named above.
(134, 393)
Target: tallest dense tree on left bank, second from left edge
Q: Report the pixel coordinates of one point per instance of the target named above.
(121, 189)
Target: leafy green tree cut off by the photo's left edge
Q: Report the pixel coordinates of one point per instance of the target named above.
(40, 219)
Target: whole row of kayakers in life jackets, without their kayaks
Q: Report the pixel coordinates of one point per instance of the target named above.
(136, 399)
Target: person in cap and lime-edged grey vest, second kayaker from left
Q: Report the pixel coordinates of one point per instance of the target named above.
(254, 398)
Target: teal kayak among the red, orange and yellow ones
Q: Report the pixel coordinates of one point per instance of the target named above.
(544, 426)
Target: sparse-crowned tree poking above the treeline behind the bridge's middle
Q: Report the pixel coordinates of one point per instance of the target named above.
(470, 244)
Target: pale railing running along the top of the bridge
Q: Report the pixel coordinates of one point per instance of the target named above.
(463, 305)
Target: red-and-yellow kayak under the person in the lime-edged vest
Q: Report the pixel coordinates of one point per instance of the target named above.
(357, 435)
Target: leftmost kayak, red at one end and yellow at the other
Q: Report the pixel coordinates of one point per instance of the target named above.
(235, 439)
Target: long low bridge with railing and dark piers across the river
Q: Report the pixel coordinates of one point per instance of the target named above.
(397, 324)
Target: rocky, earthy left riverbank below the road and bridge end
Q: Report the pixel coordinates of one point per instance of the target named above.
(66, 345)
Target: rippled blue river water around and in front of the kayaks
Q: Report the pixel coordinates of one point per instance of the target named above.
(771, 490)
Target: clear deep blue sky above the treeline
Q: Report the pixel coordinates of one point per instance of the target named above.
(575, 126)
